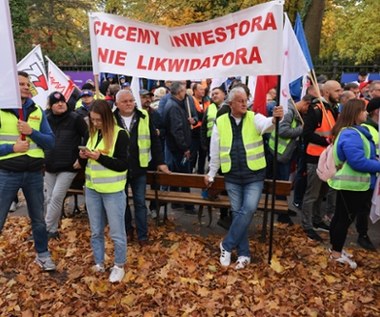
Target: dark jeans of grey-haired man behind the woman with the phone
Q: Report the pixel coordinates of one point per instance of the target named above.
(138, 186)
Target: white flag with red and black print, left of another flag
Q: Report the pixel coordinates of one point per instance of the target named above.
(34, 65)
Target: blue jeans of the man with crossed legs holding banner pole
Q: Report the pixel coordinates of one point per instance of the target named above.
(244, 200)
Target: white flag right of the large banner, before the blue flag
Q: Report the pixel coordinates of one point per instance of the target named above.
(294, 62)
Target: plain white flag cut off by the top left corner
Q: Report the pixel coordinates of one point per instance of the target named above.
(10, 91)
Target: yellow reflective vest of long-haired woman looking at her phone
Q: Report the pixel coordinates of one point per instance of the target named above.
(100, 178)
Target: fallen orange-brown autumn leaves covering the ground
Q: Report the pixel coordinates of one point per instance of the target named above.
(179, 275)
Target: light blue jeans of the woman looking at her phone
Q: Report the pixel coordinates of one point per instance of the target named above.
(102, 208)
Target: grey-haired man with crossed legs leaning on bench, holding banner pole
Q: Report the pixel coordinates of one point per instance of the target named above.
(237, 148)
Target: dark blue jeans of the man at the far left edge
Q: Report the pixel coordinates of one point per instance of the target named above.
(32, 185)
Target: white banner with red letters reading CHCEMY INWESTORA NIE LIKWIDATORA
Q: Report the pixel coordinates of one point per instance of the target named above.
(248, 42)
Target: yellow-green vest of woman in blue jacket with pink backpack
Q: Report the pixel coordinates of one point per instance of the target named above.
(347, 178)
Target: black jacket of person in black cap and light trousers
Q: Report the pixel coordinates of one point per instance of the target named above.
(70, 131)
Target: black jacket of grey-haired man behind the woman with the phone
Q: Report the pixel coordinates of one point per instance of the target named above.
(134, 168)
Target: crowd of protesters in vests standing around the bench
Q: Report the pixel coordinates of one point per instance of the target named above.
(189, 128)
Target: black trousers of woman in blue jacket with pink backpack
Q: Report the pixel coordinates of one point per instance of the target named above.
(349, 204)
